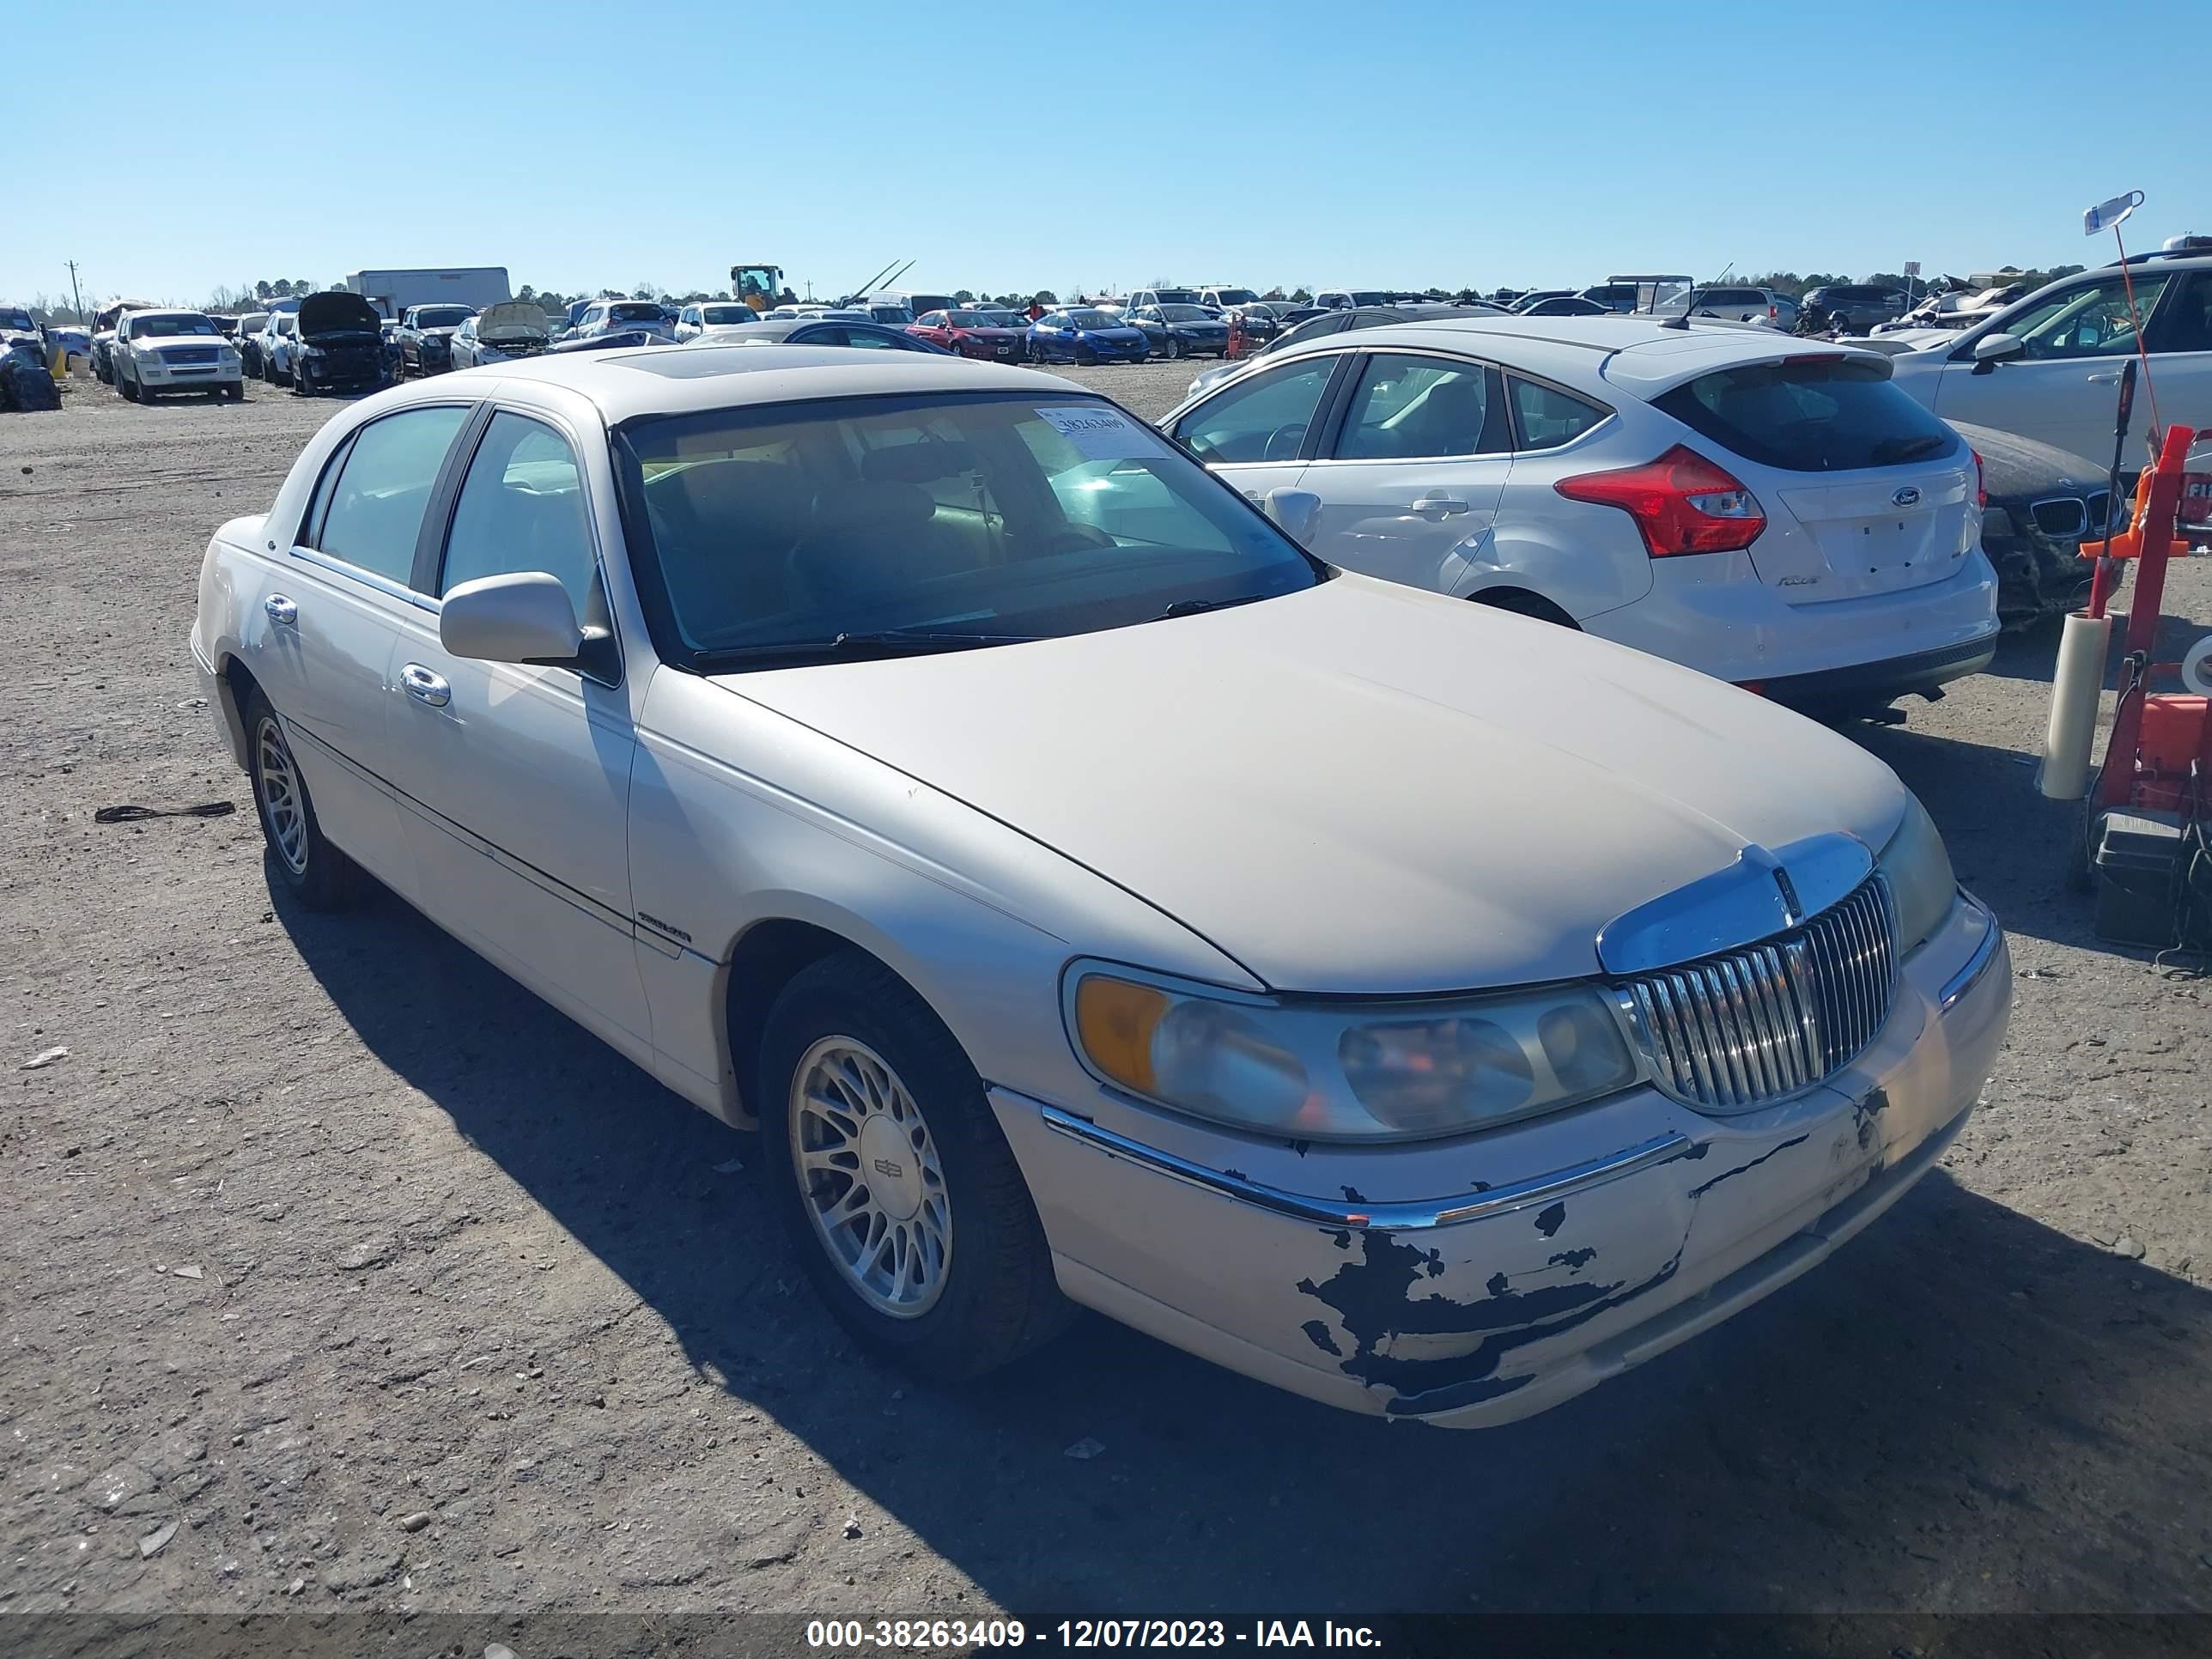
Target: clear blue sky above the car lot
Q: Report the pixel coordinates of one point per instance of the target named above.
(1100, 147)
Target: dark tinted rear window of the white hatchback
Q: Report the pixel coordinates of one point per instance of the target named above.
(1811, 415)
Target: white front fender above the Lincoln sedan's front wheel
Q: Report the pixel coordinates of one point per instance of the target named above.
(742, 815)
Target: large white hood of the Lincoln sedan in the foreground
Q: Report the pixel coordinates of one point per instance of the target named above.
(1359, 789)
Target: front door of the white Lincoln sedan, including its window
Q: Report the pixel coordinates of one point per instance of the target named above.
(517, 778)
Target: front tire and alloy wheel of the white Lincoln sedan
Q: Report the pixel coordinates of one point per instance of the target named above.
(893, 1178)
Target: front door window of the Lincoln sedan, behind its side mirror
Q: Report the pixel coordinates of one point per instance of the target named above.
(523, 510)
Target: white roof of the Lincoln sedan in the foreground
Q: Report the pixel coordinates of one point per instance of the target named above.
(687, 379)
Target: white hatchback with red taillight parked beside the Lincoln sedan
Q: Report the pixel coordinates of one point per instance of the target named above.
(1771, 512)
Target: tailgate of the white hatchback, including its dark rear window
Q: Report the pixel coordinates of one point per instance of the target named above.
(1864, 490)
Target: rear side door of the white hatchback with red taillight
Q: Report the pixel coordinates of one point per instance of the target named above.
(1412, 474)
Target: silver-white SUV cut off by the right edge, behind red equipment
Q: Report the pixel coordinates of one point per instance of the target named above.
(2049, 366)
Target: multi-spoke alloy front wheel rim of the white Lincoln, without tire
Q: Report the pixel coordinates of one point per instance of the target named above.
(870, 1178)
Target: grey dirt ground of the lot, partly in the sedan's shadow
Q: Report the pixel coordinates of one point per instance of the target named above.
(346, 1273)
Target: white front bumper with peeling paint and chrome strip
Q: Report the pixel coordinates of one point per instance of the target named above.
(1574, 1249)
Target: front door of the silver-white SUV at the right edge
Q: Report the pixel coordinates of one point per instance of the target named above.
(2065, 384)
